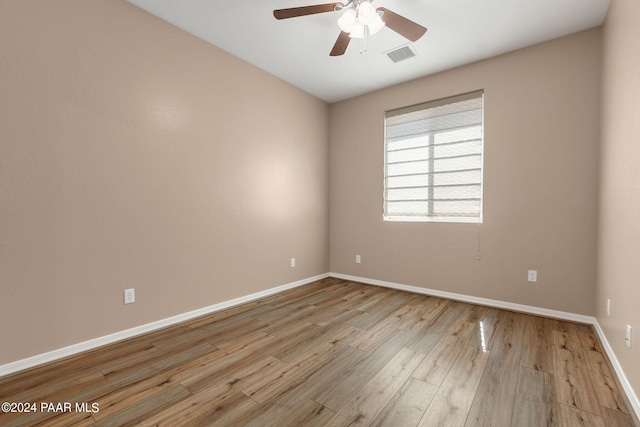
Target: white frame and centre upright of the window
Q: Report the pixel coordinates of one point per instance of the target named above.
(430, 216)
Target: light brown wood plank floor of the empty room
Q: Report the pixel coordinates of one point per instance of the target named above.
(336, 353)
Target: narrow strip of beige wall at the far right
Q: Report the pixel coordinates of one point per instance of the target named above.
(619, 232)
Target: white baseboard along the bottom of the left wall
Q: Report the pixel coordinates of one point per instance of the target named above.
(50, 356)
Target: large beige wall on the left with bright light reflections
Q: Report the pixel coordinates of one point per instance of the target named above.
(135, 155)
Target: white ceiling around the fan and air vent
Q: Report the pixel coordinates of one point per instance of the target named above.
(297, 49)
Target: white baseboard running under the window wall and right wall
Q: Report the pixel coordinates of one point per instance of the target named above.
(633, 399)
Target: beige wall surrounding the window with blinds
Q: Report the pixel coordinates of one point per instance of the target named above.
(540, 181)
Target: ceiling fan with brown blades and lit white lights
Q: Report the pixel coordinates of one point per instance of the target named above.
(359, 18)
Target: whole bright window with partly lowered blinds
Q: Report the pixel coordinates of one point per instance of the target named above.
(433, 160)
